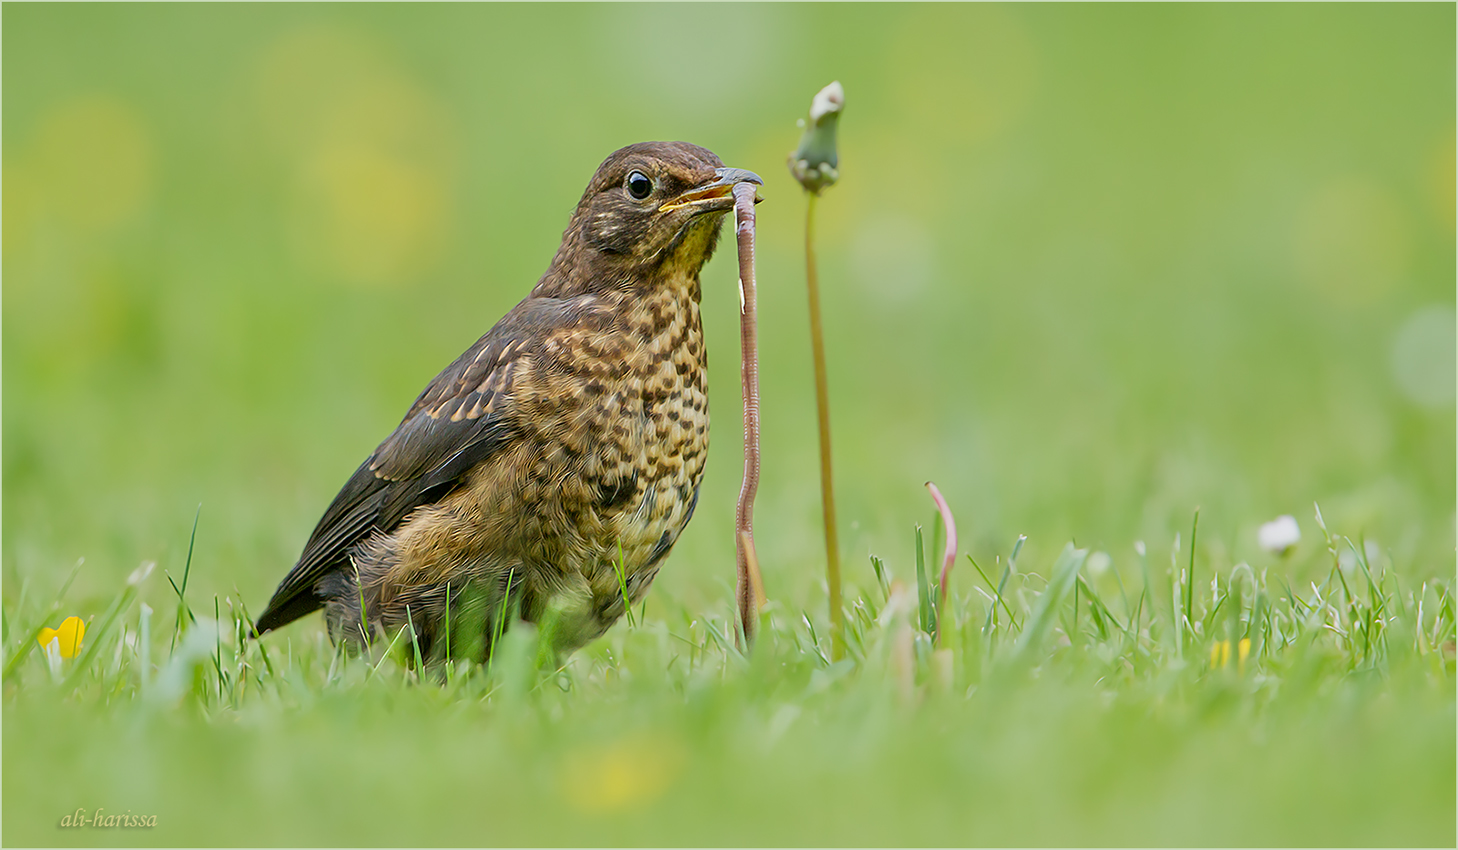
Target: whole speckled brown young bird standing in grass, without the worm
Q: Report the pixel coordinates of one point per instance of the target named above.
(547, 472)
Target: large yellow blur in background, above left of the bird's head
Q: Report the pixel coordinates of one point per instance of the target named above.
(373, 155)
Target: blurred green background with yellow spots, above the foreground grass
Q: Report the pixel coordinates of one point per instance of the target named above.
(1088, 268)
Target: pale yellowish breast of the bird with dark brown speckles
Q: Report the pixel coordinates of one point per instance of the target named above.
(631, 421)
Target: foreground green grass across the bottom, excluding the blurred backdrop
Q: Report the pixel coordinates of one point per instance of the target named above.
(1075, 706)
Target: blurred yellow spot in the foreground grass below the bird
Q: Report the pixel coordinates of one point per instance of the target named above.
(620, 776)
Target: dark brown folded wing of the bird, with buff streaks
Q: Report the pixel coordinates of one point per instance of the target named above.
(460, 421)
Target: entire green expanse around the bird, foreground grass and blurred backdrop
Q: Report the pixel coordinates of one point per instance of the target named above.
(1088, 268)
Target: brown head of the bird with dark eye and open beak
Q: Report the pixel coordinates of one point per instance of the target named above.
(652, 209)
